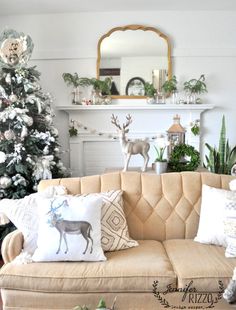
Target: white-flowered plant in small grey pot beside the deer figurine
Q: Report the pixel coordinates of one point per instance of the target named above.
(160, 163)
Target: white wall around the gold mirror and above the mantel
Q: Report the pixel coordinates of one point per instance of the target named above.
(202, 42)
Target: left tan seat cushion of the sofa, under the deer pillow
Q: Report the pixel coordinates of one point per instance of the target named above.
(129, 270)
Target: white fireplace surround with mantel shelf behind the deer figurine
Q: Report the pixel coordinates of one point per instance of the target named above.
(92, 151)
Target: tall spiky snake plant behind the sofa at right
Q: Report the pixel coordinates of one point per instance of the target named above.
(222, 159)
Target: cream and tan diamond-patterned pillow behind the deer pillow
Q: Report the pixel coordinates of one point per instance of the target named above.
(115, 233)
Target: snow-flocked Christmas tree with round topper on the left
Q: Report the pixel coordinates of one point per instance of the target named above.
(29, 149)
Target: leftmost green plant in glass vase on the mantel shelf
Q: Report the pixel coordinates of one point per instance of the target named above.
(75, 81)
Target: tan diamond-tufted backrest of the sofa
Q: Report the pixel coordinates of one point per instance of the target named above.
(157, 207)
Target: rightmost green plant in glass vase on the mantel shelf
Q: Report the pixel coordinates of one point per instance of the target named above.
(195, 87)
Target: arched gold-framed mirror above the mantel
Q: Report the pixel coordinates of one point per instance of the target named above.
(132, 55)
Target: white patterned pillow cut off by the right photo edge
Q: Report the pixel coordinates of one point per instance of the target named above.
(230, 227)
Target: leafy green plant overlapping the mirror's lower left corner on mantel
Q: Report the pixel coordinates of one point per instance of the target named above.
(102, 90)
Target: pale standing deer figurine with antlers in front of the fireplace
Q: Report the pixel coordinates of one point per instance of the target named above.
(131, 147)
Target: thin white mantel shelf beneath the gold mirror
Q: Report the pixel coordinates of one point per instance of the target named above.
(173, 107)
